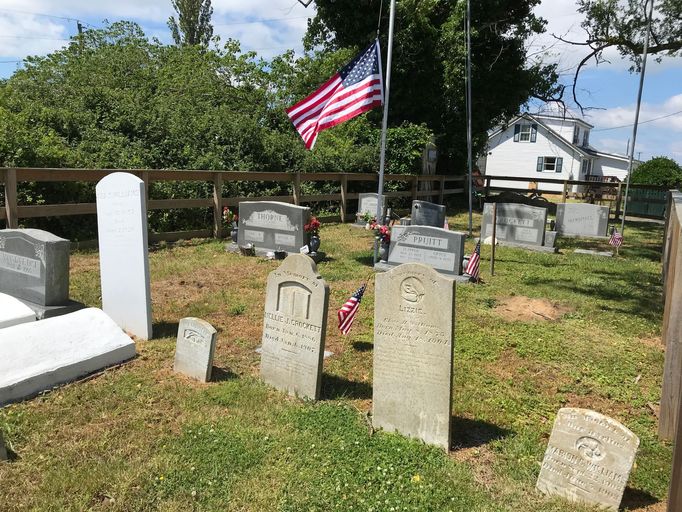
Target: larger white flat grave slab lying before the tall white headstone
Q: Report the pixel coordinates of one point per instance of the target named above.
(37, 356)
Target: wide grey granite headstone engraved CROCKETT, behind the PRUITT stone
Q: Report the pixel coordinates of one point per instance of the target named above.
(516, 224)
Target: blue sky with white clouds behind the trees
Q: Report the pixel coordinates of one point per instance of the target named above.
(269, 27)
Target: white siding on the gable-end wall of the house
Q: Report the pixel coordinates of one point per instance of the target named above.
(508, 158)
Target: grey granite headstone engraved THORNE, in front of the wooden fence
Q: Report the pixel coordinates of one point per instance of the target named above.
(273, 226)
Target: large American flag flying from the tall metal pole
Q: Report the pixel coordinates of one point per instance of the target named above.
(357, 88)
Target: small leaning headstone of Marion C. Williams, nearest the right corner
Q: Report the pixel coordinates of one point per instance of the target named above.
(588, 458)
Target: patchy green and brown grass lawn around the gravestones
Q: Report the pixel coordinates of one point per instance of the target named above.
(140, 437)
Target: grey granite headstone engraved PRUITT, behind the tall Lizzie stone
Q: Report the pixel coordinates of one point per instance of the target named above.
(435, 247)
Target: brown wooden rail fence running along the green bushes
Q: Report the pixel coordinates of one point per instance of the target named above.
(12, 211)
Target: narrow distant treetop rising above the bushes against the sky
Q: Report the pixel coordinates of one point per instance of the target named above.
(193, 26)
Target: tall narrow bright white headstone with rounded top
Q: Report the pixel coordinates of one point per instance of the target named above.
(123, 252)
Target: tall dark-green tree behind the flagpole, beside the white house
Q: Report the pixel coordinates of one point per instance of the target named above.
(427, 84)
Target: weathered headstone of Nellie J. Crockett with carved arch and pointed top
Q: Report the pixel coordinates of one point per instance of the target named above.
(294, 327)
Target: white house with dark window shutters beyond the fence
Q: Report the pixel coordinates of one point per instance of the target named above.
(548, 146)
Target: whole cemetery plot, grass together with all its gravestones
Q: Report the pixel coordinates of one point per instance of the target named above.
(545, 386)
